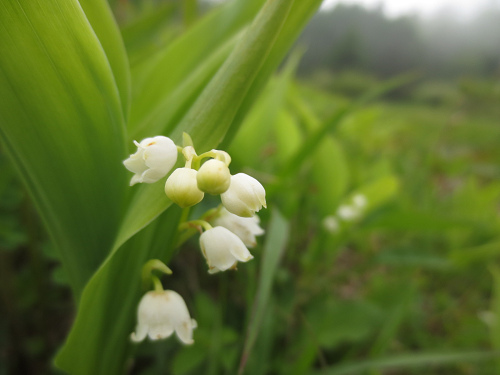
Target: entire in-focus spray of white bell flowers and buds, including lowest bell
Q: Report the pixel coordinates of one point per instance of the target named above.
(229, 230)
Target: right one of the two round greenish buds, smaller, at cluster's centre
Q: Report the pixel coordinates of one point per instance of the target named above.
(213, 177)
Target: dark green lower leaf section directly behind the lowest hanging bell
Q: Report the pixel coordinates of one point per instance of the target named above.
(99, 340)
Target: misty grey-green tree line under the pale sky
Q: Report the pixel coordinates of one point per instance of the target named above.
(350, 37)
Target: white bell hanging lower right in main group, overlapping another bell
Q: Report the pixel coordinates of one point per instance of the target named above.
(222, 249)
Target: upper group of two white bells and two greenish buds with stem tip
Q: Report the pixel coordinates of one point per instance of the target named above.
(241, 194)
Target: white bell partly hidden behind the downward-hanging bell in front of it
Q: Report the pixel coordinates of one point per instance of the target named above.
(246, 228)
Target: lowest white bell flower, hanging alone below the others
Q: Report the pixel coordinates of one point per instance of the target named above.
(159, 314)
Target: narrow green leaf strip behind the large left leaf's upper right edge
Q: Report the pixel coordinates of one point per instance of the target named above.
(103, 23)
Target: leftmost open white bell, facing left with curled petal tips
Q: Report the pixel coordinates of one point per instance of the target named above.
(153, 159)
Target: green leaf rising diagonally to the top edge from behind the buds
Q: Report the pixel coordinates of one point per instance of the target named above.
(218, 104)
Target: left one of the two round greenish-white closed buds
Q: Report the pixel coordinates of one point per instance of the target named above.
(181, 187)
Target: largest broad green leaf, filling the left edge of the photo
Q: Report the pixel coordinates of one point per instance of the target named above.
(61, 123)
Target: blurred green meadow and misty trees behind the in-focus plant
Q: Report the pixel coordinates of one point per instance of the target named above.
(403, 110)
